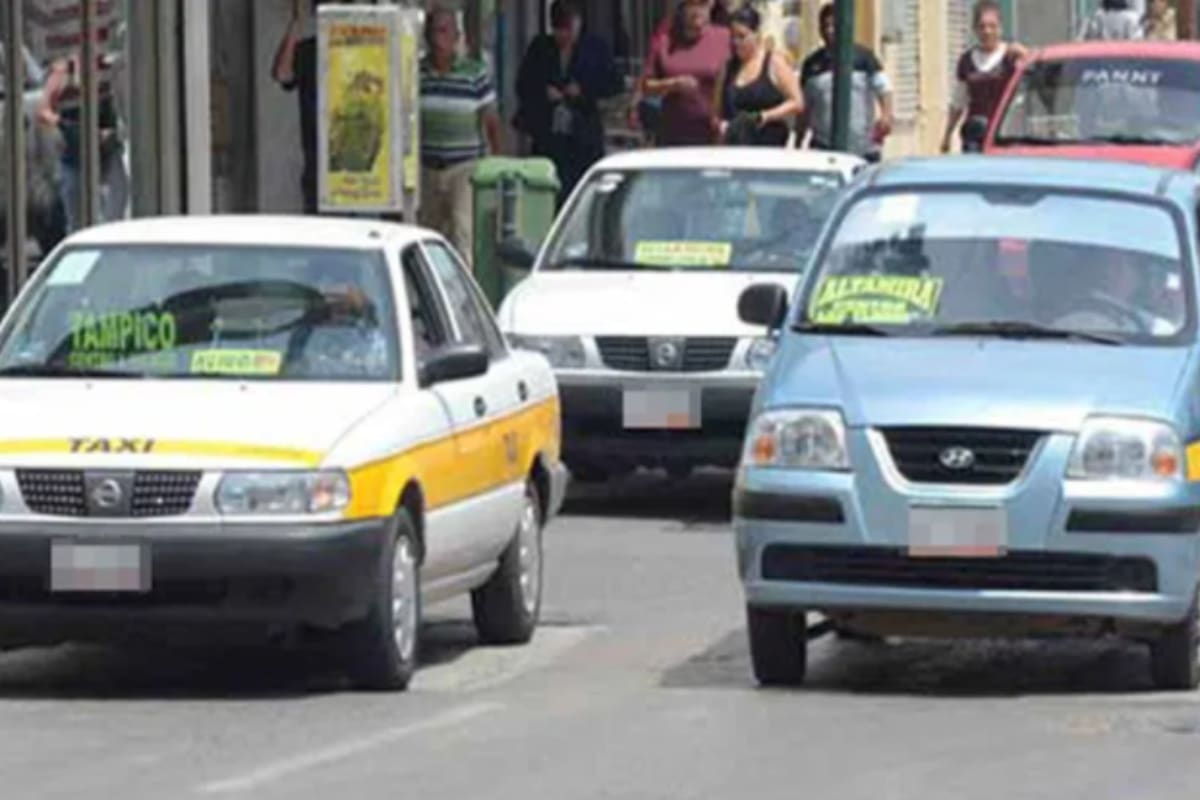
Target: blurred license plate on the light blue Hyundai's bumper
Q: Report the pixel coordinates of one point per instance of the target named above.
(957, 533)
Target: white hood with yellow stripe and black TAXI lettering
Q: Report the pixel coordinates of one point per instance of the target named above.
(178, 424)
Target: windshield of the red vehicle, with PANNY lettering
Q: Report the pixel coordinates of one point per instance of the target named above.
(1133, 101)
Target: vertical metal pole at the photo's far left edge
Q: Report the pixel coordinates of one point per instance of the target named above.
(15, 140)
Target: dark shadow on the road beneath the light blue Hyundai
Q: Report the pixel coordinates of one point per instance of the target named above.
(928, 669)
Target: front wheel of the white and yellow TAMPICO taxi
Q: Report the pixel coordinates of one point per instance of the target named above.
(381, 652)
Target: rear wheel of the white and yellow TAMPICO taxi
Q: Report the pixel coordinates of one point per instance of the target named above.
(507, 607)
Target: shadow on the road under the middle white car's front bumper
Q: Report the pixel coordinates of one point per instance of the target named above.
(705, 498)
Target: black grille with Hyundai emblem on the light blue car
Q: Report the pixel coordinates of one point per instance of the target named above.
(998, 455)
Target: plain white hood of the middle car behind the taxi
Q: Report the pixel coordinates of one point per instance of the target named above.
(627, 303)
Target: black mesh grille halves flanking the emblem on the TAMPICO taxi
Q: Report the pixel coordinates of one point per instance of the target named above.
(61, 492)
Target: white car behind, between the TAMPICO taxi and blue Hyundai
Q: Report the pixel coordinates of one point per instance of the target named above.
(633, 298)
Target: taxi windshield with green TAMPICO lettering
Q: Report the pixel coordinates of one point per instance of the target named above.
(205, 312)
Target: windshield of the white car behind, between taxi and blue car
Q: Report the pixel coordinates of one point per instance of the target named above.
(697, 220)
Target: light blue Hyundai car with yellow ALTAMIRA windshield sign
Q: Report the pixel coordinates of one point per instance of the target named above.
(983, 416)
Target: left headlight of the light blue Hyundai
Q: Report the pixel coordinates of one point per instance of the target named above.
(799, 440)
